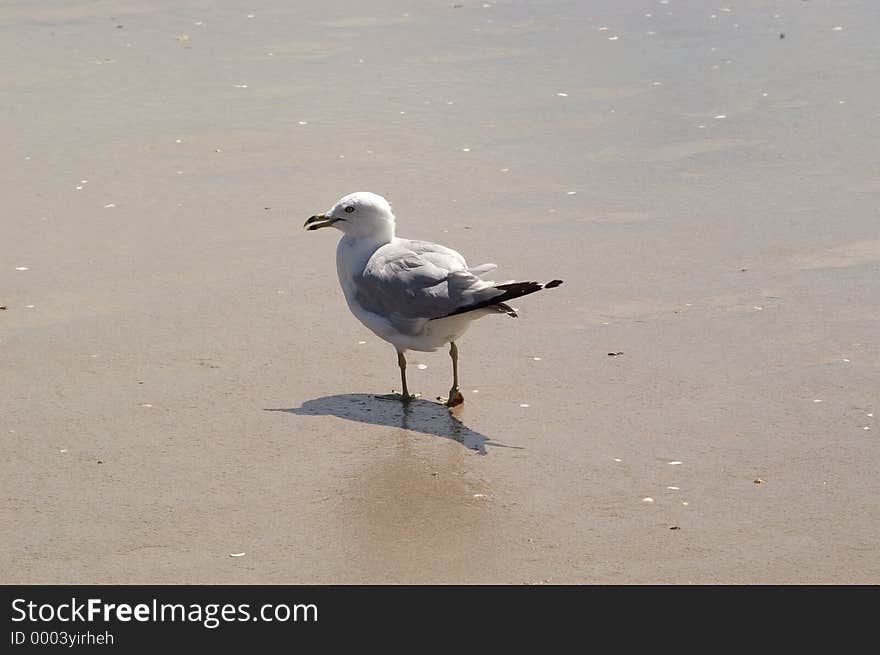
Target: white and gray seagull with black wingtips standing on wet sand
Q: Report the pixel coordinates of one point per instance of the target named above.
(416, 295)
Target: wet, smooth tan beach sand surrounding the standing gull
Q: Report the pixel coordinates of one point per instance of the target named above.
(182, 380)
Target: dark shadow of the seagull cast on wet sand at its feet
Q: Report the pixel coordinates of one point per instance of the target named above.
(418, 415)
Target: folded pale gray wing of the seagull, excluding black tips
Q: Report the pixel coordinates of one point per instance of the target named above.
(411, 282)
